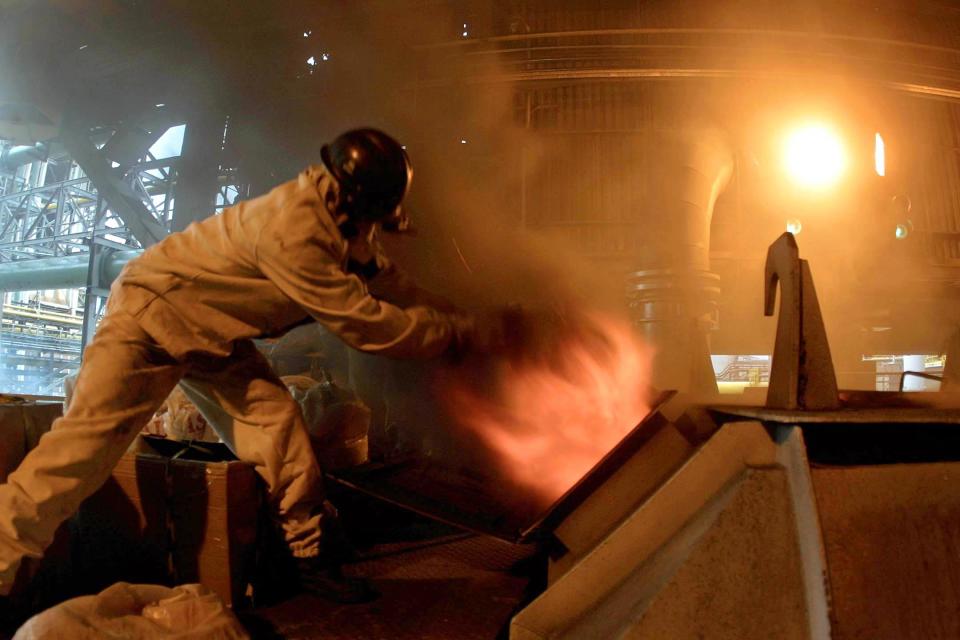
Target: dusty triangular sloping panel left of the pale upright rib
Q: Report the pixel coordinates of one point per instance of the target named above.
(743, 580)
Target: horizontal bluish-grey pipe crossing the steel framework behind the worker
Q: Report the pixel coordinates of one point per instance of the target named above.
(60, 273)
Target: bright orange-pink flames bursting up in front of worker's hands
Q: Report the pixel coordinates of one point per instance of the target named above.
(551, 419)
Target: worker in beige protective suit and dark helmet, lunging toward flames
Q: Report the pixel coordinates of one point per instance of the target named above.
(187, 310)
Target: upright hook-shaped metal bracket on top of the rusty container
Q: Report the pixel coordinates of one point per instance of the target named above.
(802, 375)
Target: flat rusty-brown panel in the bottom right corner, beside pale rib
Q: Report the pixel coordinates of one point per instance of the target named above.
(892, 538)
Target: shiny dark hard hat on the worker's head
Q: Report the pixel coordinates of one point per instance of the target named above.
(372, 171)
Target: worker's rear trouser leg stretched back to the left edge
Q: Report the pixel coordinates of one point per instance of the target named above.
(124, 378)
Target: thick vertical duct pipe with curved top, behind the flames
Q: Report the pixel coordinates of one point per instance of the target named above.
(672, 293)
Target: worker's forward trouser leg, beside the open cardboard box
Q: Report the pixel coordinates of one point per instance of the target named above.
(251, 410)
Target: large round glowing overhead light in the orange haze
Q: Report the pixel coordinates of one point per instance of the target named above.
(814, 156)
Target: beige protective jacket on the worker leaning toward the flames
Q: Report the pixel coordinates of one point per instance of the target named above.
(266, 265)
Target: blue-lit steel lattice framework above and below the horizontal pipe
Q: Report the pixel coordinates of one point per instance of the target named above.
(50, 208)
